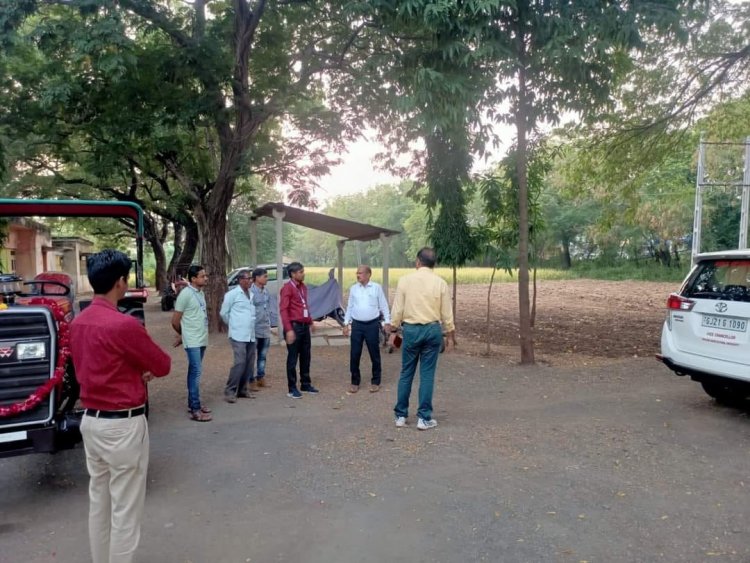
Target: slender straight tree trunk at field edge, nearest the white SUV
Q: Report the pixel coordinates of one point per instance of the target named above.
(526, 336)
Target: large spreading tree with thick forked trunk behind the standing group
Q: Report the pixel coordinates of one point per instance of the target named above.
(196, 92)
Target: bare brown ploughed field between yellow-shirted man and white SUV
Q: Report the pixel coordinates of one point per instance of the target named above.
(588, 318)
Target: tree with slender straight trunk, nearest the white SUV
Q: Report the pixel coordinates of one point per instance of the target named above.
(564, 57)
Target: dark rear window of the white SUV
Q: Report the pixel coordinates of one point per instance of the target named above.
(728, 280)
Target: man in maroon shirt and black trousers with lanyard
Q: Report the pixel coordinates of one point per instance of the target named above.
(296, 322)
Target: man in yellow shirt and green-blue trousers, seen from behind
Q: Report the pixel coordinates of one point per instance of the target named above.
(421, 305)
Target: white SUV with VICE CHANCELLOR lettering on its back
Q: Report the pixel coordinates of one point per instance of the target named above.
(706, 333)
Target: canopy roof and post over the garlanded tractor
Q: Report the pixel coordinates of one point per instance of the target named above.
(82, 208)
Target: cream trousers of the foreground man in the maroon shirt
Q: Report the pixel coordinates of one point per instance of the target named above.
(117, 461)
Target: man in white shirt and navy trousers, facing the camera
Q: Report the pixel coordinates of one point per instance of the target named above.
(367, 303)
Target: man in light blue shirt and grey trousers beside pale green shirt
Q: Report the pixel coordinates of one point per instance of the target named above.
(238, 312)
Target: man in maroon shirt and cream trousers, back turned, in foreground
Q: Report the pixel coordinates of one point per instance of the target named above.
(114, 358)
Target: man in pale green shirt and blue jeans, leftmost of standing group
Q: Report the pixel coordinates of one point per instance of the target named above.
(190, 321)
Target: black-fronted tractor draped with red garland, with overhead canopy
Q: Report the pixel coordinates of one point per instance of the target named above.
(38, 390)
